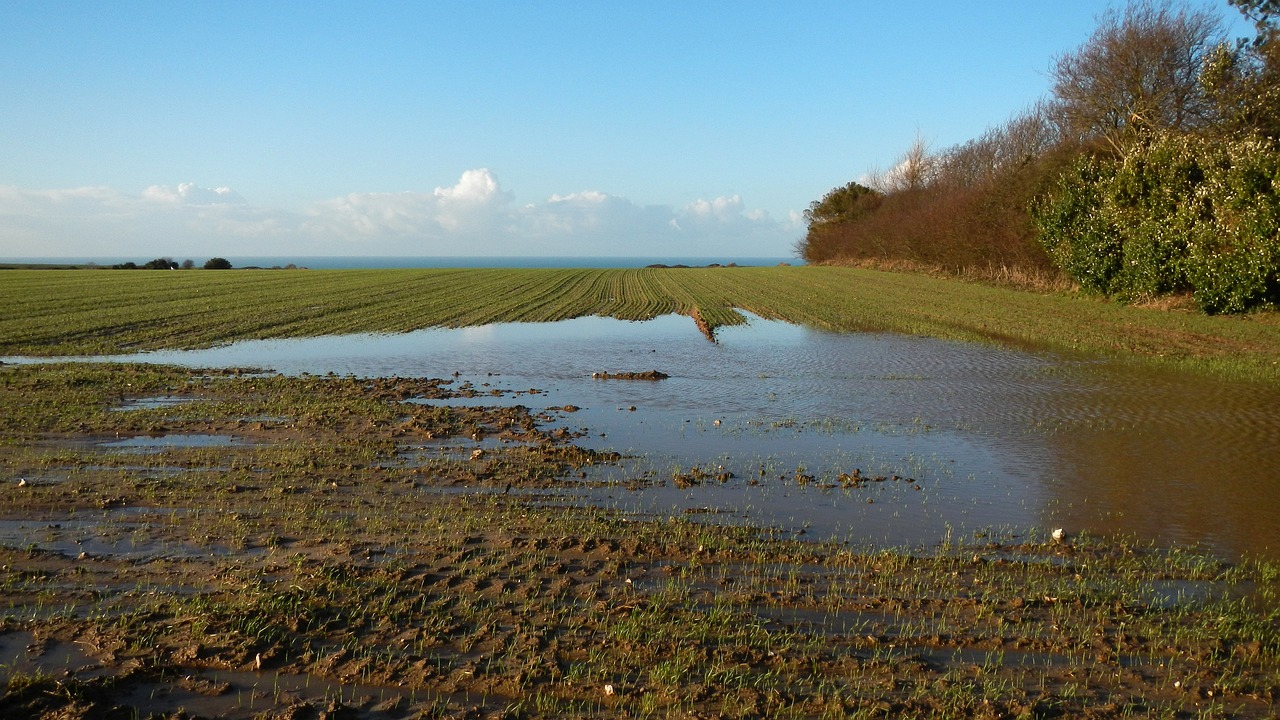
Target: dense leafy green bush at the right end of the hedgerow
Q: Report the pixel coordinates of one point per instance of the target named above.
(1178, 215)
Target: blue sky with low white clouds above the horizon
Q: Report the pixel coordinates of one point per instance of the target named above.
(486, 129)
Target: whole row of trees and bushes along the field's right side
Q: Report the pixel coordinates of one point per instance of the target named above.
(1153, 170)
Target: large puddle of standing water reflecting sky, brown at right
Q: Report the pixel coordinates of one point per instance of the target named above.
(761, 426)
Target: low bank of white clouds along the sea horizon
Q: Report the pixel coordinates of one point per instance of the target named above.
(476, 217)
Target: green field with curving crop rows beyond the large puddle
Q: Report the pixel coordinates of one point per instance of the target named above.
(100, 312)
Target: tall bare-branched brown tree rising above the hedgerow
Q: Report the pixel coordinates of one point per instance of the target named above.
(1140, 72)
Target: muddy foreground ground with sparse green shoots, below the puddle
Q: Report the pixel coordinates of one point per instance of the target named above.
(342, 554)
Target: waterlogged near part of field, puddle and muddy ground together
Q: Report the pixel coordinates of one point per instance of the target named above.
(601, 520)
